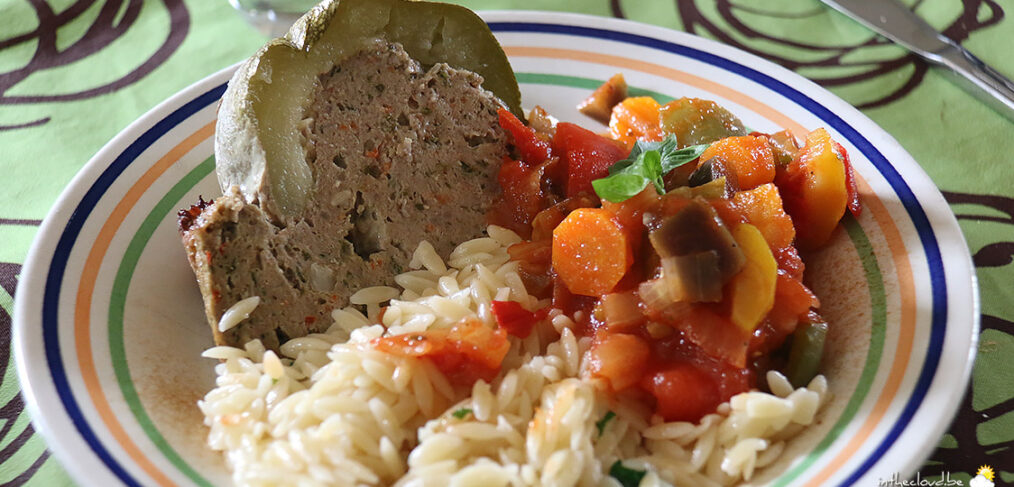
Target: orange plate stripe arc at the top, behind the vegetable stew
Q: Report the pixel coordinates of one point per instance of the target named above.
(667, 73)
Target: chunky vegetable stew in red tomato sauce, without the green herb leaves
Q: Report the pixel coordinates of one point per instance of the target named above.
(689, 295)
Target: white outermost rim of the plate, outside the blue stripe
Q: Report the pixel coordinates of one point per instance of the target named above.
(37, 264)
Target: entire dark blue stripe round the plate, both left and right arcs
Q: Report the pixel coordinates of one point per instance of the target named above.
(916, 213)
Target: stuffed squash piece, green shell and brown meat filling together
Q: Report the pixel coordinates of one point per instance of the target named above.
(338, 150)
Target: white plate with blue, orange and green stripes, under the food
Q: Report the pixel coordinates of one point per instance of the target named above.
(110, 324)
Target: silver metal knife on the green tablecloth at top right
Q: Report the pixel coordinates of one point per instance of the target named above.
(894, 21)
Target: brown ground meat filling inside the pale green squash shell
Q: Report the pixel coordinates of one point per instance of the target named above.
(399, 155)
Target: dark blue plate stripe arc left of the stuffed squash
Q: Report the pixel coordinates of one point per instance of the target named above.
(51, 298)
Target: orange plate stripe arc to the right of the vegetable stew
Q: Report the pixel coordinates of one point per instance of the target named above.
(903, 353)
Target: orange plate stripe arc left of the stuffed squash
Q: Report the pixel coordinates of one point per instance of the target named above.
(83, 310)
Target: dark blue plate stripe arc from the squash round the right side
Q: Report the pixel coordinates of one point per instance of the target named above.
(912, 206)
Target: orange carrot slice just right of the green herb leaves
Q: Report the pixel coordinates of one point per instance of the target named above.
(750, 158)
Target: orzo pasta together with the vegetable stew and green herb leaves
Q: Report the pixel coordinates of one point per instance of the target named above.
(635, 314)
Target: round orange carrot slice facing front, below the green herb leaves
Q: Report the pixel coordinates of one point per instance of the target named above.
(591, 252)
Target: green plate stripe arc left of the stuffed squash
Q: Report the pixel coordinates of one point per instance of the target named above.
(118, 302)
